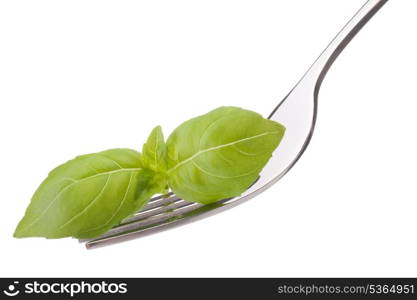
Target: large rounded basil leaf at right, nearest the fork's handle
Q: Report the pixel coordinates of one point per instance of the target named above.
(220, 154)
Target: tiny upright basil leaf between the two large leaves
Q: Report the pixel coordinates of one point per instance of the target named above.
(154, 151)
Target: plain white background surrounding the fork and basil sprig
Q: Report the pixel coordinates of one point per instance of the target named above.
(84, 76)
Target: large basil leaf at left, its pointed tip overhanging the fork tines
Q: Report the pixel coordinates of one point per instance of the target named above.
(88, 195)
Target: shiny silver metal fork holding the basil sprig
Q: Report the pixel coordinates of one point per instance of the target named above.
(297, 111)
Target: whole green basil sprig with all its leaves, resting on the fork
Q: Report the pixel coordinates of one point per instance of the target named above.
(206, 159)
